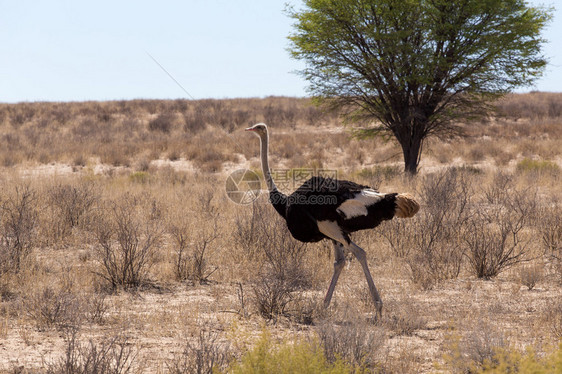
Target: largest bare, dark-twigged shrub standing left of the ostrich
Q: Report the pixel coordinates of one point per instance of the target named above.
(128, 232)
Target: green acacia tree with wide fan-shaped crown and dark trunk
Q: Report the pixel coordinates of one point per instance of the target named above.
(415, 66)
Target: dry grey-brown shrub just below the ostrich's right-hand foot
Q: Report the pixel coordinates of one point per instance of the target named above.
(355, 342)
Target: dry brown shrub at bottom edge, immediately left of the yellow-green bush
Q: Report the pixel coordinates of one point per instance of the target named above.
(207, 355)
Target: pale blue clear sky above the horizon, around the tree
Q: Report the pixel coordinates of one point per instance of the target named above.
(68, 50)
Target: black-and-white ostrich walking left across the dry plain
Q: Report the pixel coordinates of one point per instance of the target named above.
(325, 208)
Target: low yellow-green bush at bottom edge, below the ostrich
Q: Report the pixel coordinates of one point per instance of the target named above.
(300, 357)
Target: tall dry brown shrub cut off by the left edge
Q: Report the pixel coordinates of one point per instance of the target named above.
(18, 228)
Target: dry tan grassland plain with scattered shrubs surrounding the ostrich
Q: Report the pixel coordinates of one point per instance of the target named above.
(117, 238)
